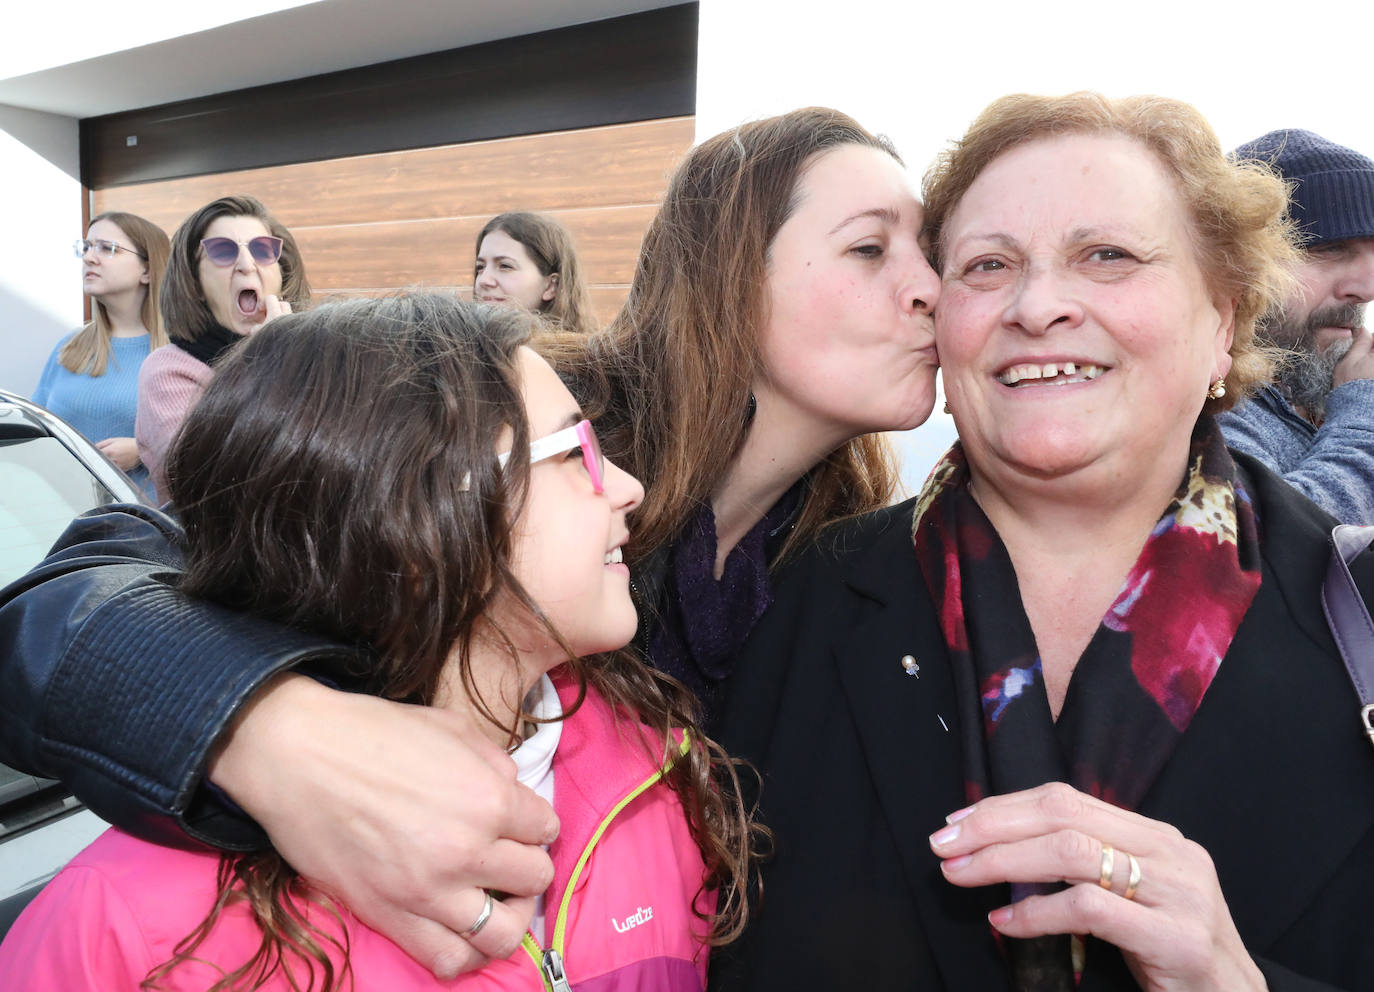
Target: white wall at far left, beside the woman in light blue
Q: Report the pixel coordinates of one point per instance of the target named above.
(41, 280)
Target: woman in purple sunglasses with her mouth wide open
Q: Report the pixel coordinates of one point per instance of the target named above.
(233, 269)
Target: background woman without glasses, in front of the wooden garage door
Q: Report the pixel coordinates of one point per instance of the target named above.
(528, 260)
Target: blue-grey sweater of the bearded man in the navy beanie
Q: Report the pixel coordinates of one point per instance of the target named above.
(1332, 465)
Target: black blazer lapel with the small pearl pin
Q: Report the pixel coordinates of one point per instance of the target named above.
(909, 733)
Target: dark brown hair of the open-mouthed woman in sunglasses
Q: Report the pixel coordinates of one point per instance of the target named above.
(185, 311)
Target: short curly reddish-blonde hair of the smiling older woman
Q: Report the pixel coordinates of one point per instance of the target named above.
(1239, 211)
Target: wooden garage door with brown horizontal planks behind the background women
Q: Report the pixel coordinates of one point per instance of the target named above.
(377, 223)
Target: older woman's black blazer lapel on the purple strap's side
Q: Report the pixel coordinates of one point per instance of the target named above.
(1273, 776)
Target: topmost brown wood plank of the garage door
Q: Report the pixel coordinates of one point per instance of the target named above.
(598, 167)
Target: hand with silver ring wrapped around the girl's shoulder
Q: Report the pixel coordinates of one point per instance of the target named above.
(403, 813)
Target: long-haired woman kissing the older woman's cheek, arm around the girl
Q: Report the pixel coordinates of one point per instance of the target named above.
(781, 313)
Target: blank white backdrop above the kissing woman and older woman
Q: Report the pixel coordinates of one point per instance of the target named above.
(921, 74)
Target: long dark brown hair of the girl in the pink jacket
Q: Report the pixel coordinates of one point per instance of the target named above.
(339, 476)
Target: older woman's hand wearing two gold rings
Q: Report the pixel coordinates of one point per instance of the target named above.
(1177, 932)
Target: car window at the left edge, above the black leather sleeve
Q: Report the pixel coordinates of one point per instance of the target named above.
(45, 488)
